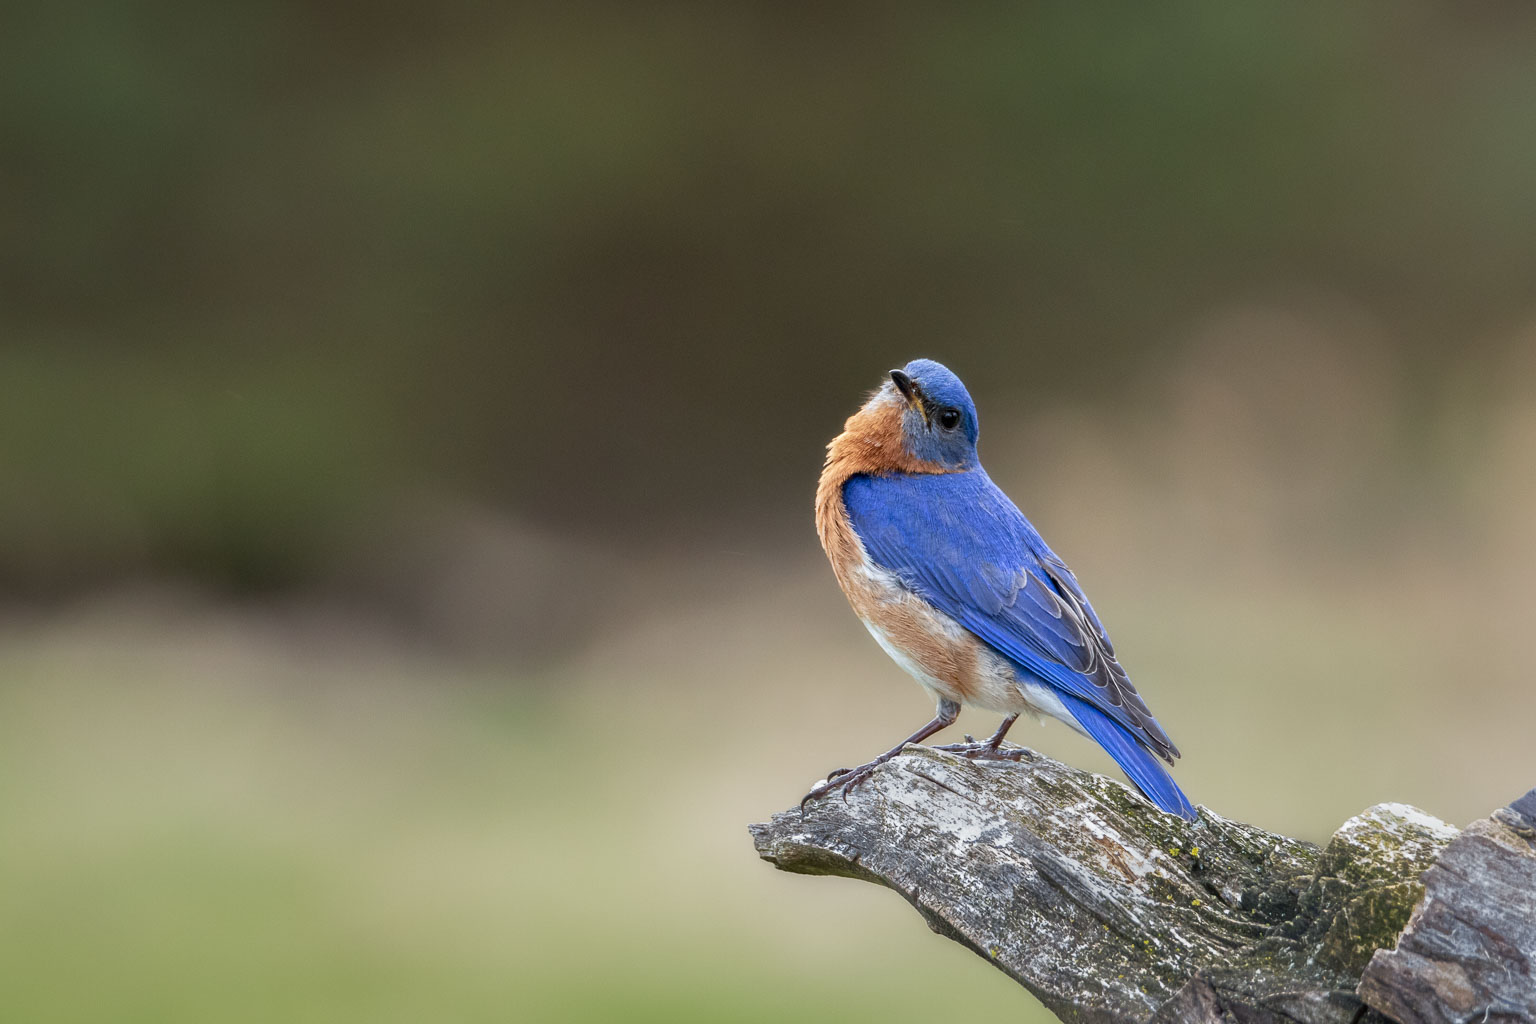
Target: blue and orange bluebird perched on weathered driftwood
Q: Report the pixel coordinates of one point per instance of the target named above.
(961, 590)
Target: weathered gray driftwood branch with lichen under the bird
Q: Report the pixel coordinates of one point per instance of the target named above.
(1111, 911)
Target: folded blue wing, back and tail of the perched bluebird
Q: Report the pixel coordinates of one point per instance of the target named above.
(959, 543)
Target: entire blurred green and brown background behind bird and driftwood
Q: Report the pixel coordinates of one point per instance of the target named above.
(412, 414)
